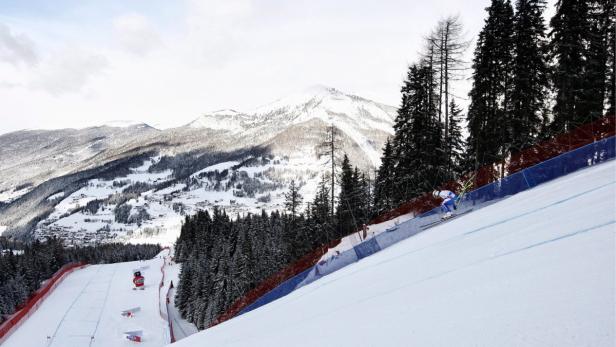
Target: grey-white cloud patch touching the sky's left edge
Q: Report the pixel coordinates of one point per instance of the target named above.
(16, 48)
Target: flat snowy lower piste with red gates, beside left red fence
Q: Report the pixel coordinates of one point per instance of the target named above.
(89, 303)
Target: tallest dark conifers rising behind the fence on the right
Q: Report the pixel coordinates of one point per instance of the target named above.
(529, 83)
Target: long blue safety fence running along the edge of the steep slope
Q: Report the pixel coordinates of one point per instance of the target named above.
(564, 164)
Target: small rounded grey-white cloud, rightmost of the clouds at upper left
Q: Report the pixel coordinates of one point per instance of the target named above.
(136, 34)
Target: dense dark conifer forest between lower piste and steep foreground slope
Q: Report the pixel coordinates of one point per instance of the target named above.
(222, 259)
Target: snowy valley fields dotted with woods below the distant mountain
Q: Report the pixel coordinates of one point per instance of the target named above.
(167, 207)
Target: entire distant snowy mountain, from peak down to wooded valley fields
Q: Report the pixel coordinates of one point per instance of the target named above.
(71, 183)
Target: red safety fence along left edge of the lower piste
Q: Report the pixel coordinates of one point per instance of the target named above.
(15, 321)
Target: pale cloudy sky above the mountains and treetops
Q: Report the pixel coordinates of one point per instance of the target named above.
(76, 63)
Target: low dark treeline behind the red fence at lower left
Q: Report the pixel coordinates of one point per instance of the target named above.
(23, 267)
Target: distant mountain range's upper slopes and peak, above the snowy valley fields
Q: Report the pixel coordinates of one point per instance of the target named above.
(35, 164)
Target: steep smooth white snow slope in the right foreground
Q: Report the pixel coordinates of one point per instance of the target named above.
(534, 269)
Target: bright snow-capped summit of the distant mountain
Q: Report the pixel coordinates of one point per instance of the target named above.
(366, 123)
